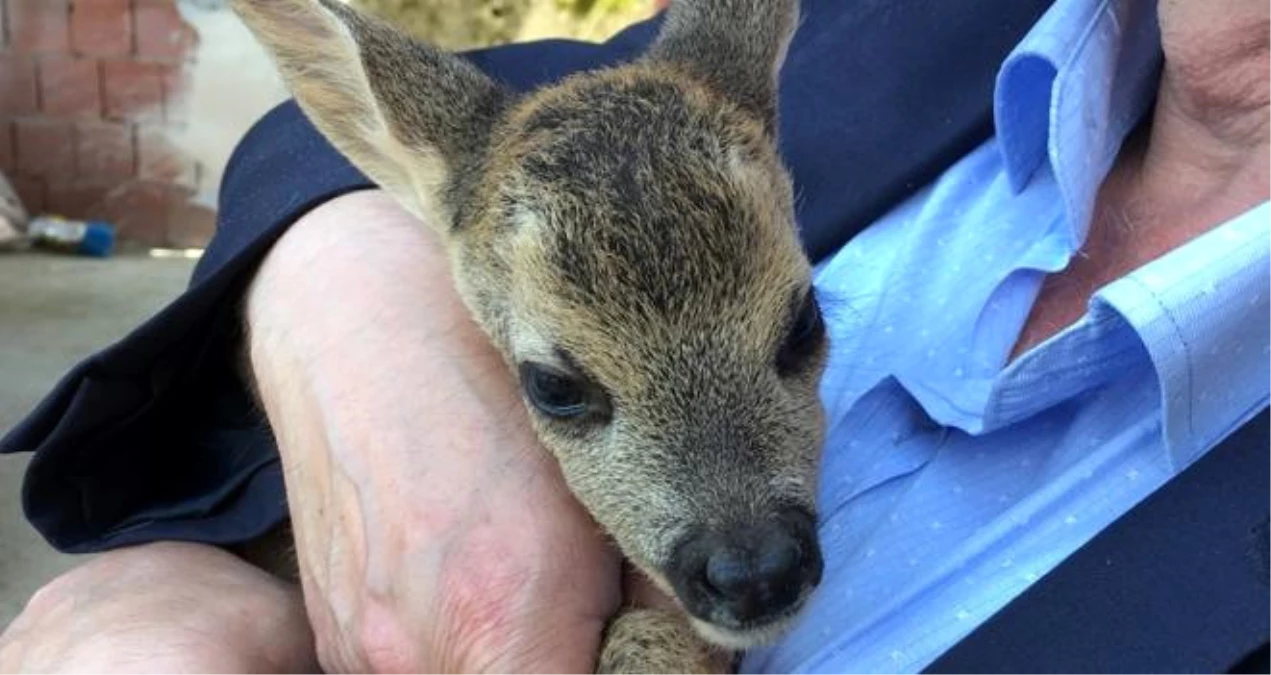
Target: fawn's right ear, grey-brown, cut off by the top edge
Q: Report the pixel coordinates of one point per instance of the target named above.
(735, 46)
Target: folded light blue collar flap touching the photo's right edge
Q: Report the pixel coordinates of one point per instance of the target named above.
(1202, 312)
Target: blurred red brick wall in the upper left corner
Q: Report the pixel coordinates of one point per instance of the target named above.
(88, 92)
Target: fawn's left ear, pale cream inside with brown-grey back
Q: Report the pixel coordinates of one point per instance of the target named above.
(414, 119)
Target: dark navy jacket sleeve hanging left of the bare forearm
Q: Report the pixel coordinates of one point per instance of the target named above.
(123, 452)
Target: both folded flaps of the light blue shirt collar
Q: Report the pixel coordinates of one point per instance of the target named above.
(1066, 100)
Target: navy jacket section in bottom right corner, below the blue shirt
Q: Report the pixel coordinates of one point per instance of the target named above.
(1179, 585)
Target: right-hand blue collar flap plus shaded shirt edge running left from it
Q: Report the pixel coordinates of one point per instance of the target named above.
(1197, 316)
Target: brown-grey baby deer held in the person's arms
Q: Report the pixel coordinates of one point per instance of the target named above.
(627, 241)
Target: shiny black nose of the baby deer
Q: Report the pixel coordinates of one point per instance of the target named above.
(748, 575)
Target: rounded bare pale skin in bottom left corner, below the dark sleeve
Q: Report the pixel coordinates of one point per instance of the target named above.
(158, 610)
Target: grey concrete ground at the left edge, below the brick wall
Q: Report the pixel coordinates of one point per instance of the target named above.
(55, 312)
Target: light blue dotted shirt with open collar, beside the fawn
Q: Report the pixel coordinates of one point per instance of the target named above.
(954, 481)
